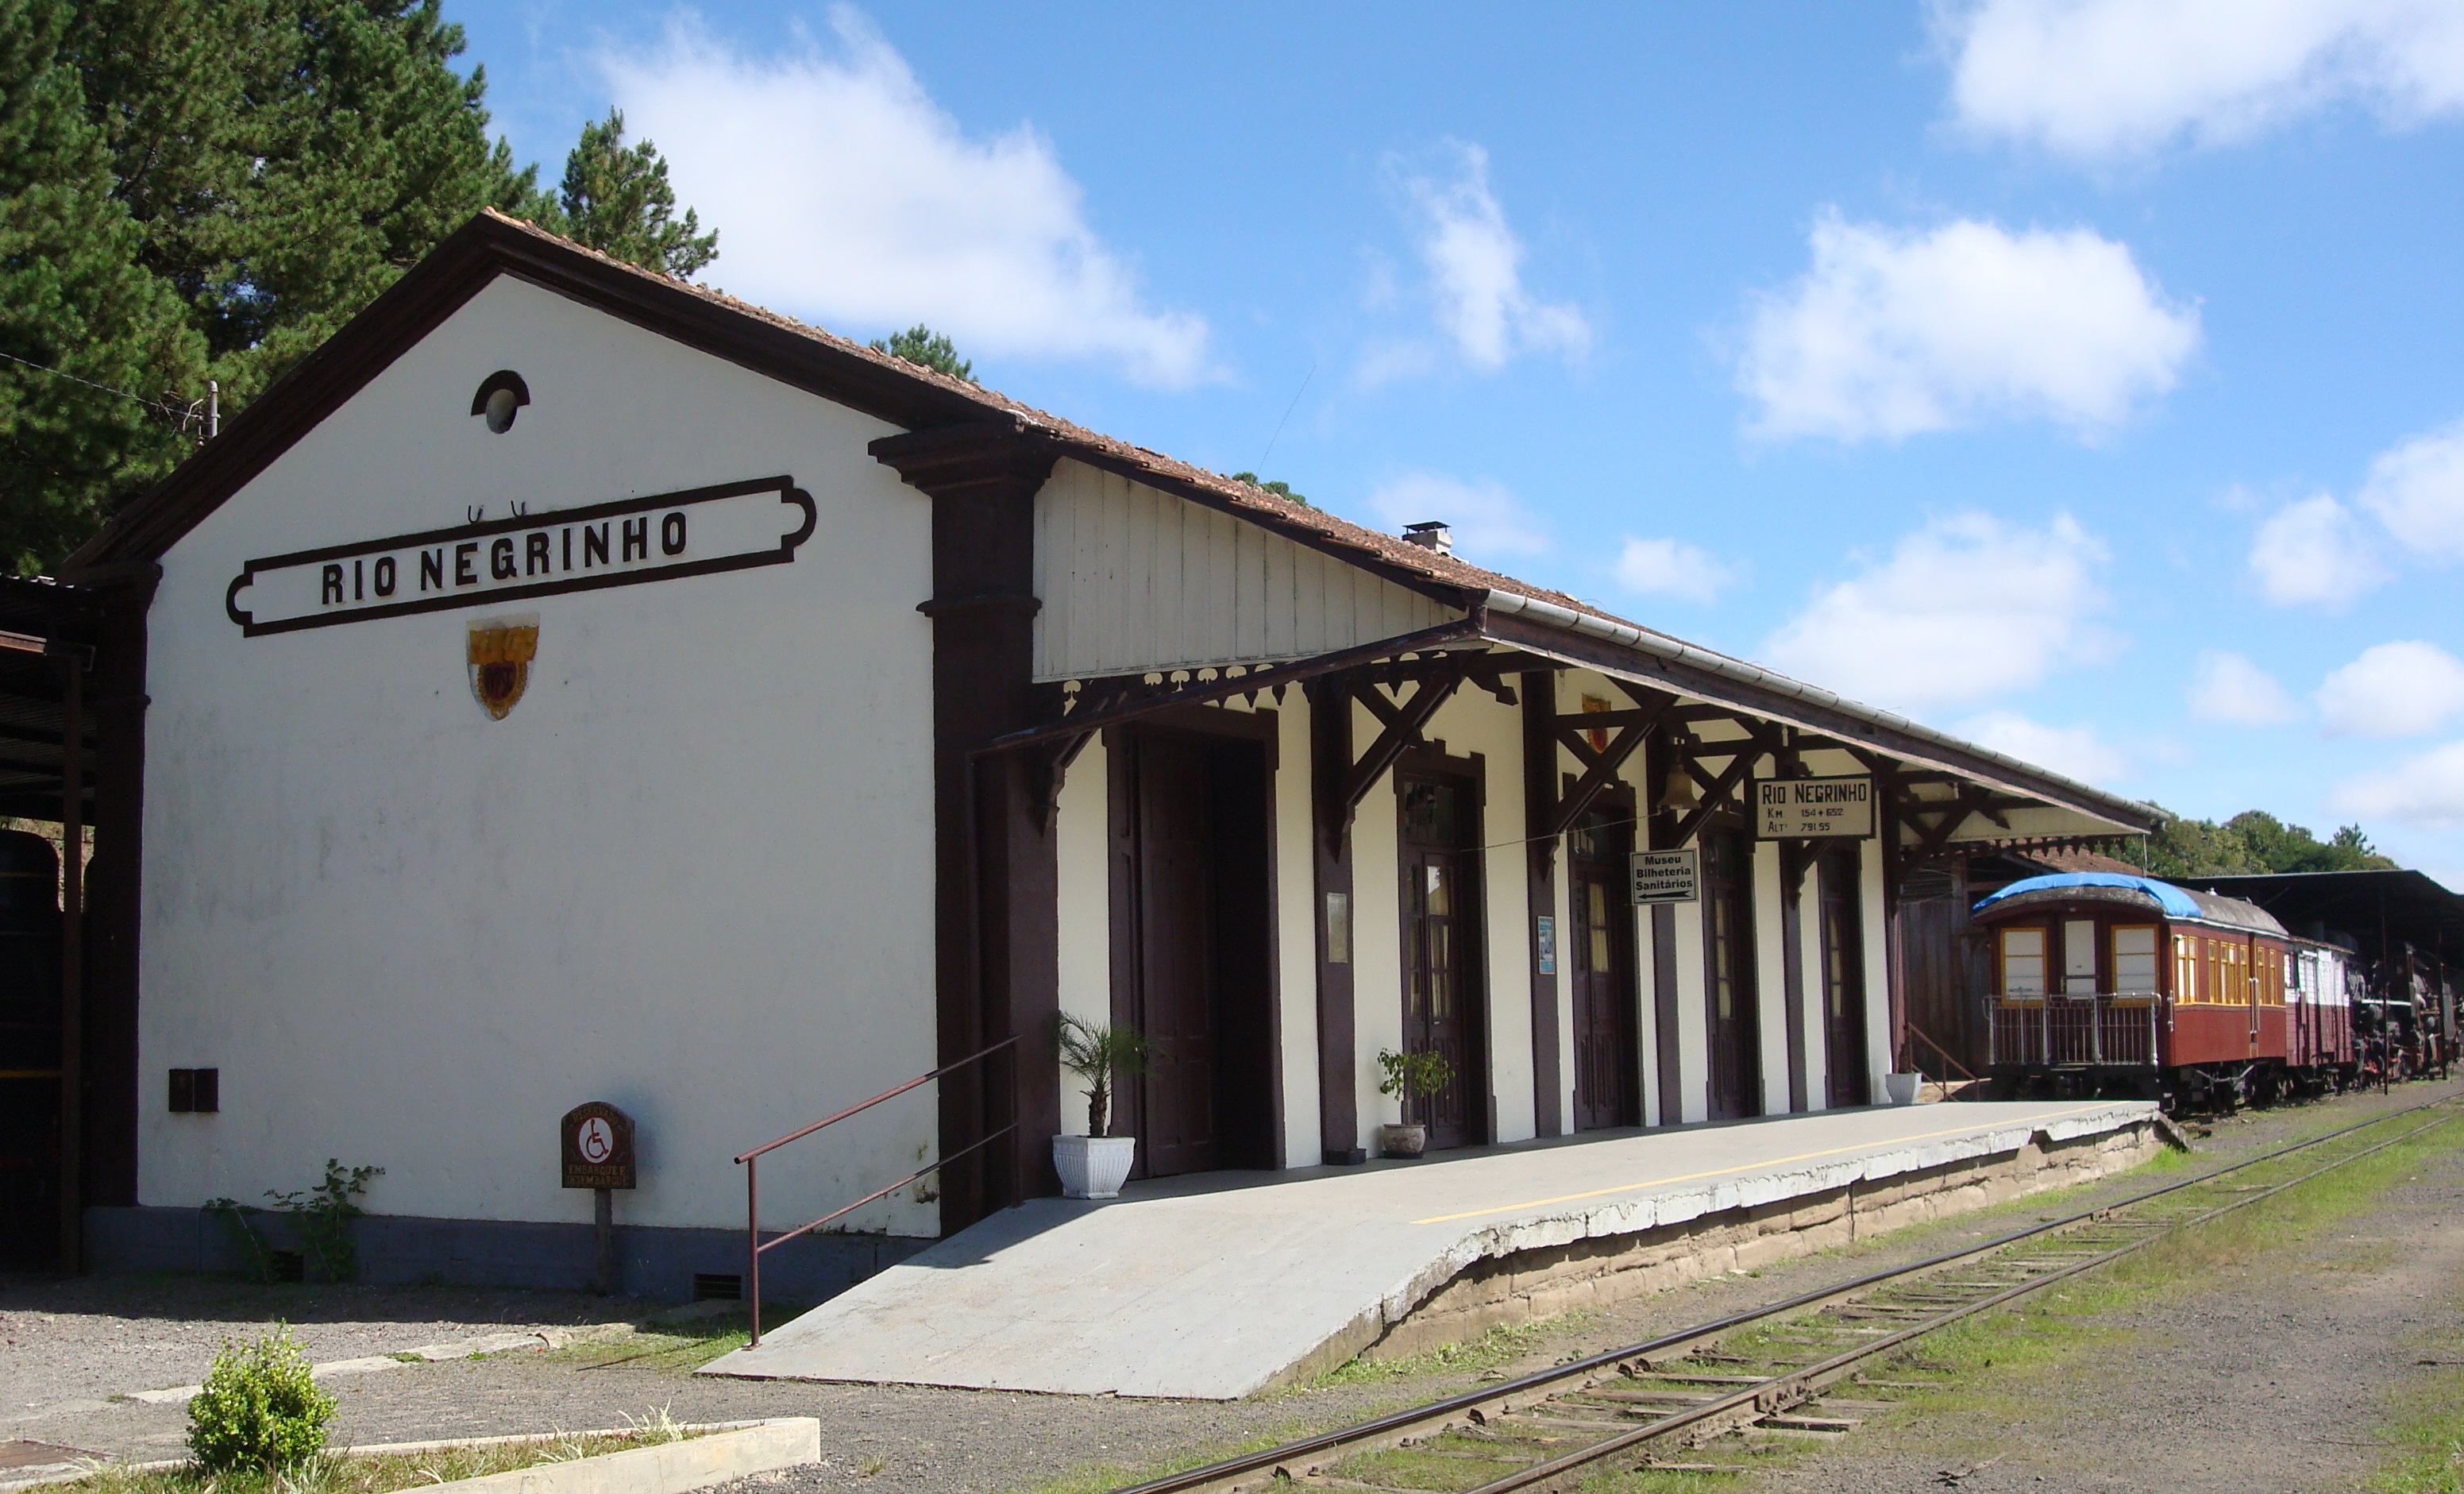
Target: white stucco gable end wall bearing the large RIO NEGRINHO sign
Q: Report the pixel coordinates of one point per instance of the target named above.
(691, 874)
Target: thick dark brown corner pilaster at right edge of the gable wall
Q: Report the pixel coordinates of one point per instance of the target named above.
(997, 881)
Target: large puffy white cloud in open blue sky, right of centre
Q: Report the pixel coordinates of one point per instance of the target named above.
(1891, 334)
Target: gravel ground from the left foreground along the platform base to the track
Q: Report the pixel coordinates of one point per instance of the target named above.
(70, 1345)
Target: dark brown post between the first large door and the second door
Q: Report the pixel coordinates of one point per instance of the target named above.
(1332, 859)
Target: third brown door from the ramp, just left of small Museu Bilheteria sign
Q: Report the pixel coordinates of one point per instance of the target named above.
(1608, 1059)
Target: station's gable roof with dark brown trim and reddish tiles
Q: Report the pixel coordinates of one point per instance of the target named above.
(923, 401)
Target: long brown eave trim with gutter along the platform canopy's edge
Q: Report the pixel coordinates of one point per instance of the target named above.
(1839, 726)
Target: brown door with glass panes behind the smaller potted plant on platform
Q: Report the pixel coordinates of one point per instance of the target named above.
(1440, 926)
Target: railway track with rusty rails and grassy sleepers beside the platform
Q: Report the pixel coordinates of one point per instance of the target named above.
(1785, 1372)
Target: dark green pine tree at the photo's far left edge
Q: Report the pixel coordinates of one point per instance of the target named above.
(100, 359)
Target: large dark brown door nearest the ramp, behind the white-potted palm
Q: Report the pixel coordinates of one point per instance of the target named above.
(1177, 958)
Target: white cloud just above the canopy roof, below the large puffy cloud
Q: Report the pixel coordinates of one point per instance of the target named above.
(1963, 610)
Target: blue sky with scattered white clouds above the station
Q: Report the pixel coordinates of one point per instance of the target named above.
(2086, 376)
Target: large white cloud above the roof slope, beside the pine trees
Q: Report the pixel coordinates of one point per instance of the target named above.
(844, 194)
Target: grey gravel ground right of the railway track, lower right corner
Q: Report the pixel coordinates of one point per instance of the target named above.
(2273, 1377)
